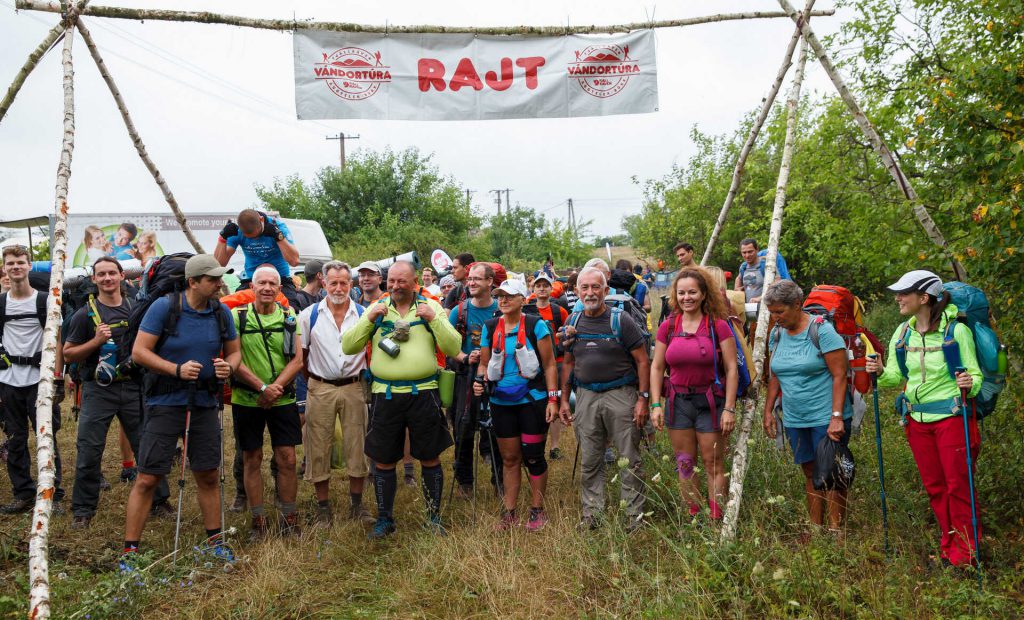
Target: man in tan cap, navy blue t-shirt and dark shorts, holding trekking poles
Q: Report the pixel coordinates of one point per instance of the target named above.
(186, 368)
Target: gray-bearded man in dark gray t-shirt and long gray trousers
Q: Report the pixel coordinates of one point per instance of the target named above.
(607, 362)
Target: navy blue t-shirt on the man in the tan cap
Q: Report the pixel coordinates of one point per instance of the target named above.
(198, 339)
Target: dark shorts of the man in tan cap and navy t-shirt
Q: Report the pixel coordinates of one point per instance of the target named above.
(164, 425)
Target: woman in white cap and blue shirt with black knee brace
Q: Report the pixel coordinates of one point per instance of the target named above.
(517, 351)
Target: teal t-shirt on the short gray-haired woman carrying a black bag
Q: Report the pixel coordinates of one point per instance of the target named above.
(804, 377)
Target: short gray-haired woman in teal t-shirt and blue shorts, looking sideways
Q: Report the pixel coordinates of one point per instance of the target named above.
(813, 382)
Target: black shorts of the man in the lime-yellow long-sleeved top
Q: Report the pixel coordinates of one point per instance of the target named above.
(429, 432)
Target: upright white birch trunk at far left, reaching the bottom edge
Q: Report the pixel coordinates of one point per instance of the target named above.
(39, 584)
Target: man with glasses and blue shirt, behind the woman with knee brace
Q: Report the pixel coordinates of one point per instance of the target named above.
(468, 318)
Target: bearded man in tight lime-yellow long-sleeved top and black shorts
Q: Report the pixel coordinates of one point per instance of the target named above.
(404, 332)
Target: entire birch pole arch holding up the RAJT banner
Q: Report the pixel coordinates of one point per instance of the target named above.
(39, 577)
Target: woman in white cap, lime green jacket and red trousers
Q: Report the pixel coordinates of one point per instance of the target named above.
(930, 403)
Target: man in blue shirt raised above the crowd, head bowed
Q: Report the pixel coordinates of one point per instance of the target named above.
(264, 239)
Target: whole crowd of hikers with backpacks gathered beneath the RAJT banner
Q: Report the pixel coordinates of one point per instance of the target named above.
(377, 365)
